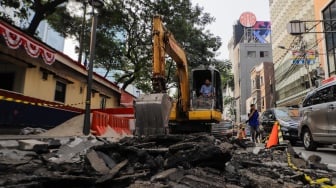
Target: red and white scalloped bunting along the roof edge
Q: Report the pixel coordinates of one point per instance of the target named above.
(14, 40)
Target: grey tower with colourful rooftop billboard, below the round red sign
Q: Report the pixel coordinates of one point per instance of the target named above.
(246, 51)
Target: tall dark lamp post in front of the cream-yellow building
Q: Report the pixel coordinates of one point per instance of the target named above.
(87, 123)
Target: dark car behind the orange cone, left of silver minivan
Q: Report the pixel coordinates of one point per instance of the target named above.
(288, 118)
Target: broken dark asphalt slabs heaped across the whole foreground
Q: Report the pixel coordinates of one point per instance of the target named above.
(197, 160)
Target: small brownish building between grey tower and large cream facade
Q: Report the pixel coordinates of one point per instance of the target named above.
(262, 87)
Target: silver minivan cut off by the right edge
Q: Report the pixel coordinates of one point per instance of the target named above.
(318, 117)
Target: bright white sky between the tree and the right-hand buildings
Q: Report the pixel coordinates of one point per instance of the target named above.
(227, 12)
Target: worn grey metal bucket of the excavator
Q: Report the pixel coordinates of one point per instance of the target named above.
(152, 114)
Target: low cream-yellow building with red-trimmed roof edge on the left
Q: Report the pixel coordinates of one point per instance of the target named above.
(42, 84)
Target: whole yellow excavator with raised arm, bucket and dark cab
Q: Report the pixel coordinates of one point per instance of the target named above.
(157, 113)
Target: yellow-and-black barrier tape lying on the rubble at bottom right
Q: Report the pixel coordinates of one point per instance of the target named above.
(323, 182)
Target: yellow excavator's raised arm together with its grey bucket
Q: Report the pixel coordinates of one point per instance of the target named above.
(152, 110)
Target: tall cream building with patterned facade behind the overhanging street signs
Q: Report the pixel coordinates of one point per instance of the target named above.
(291, 80)
